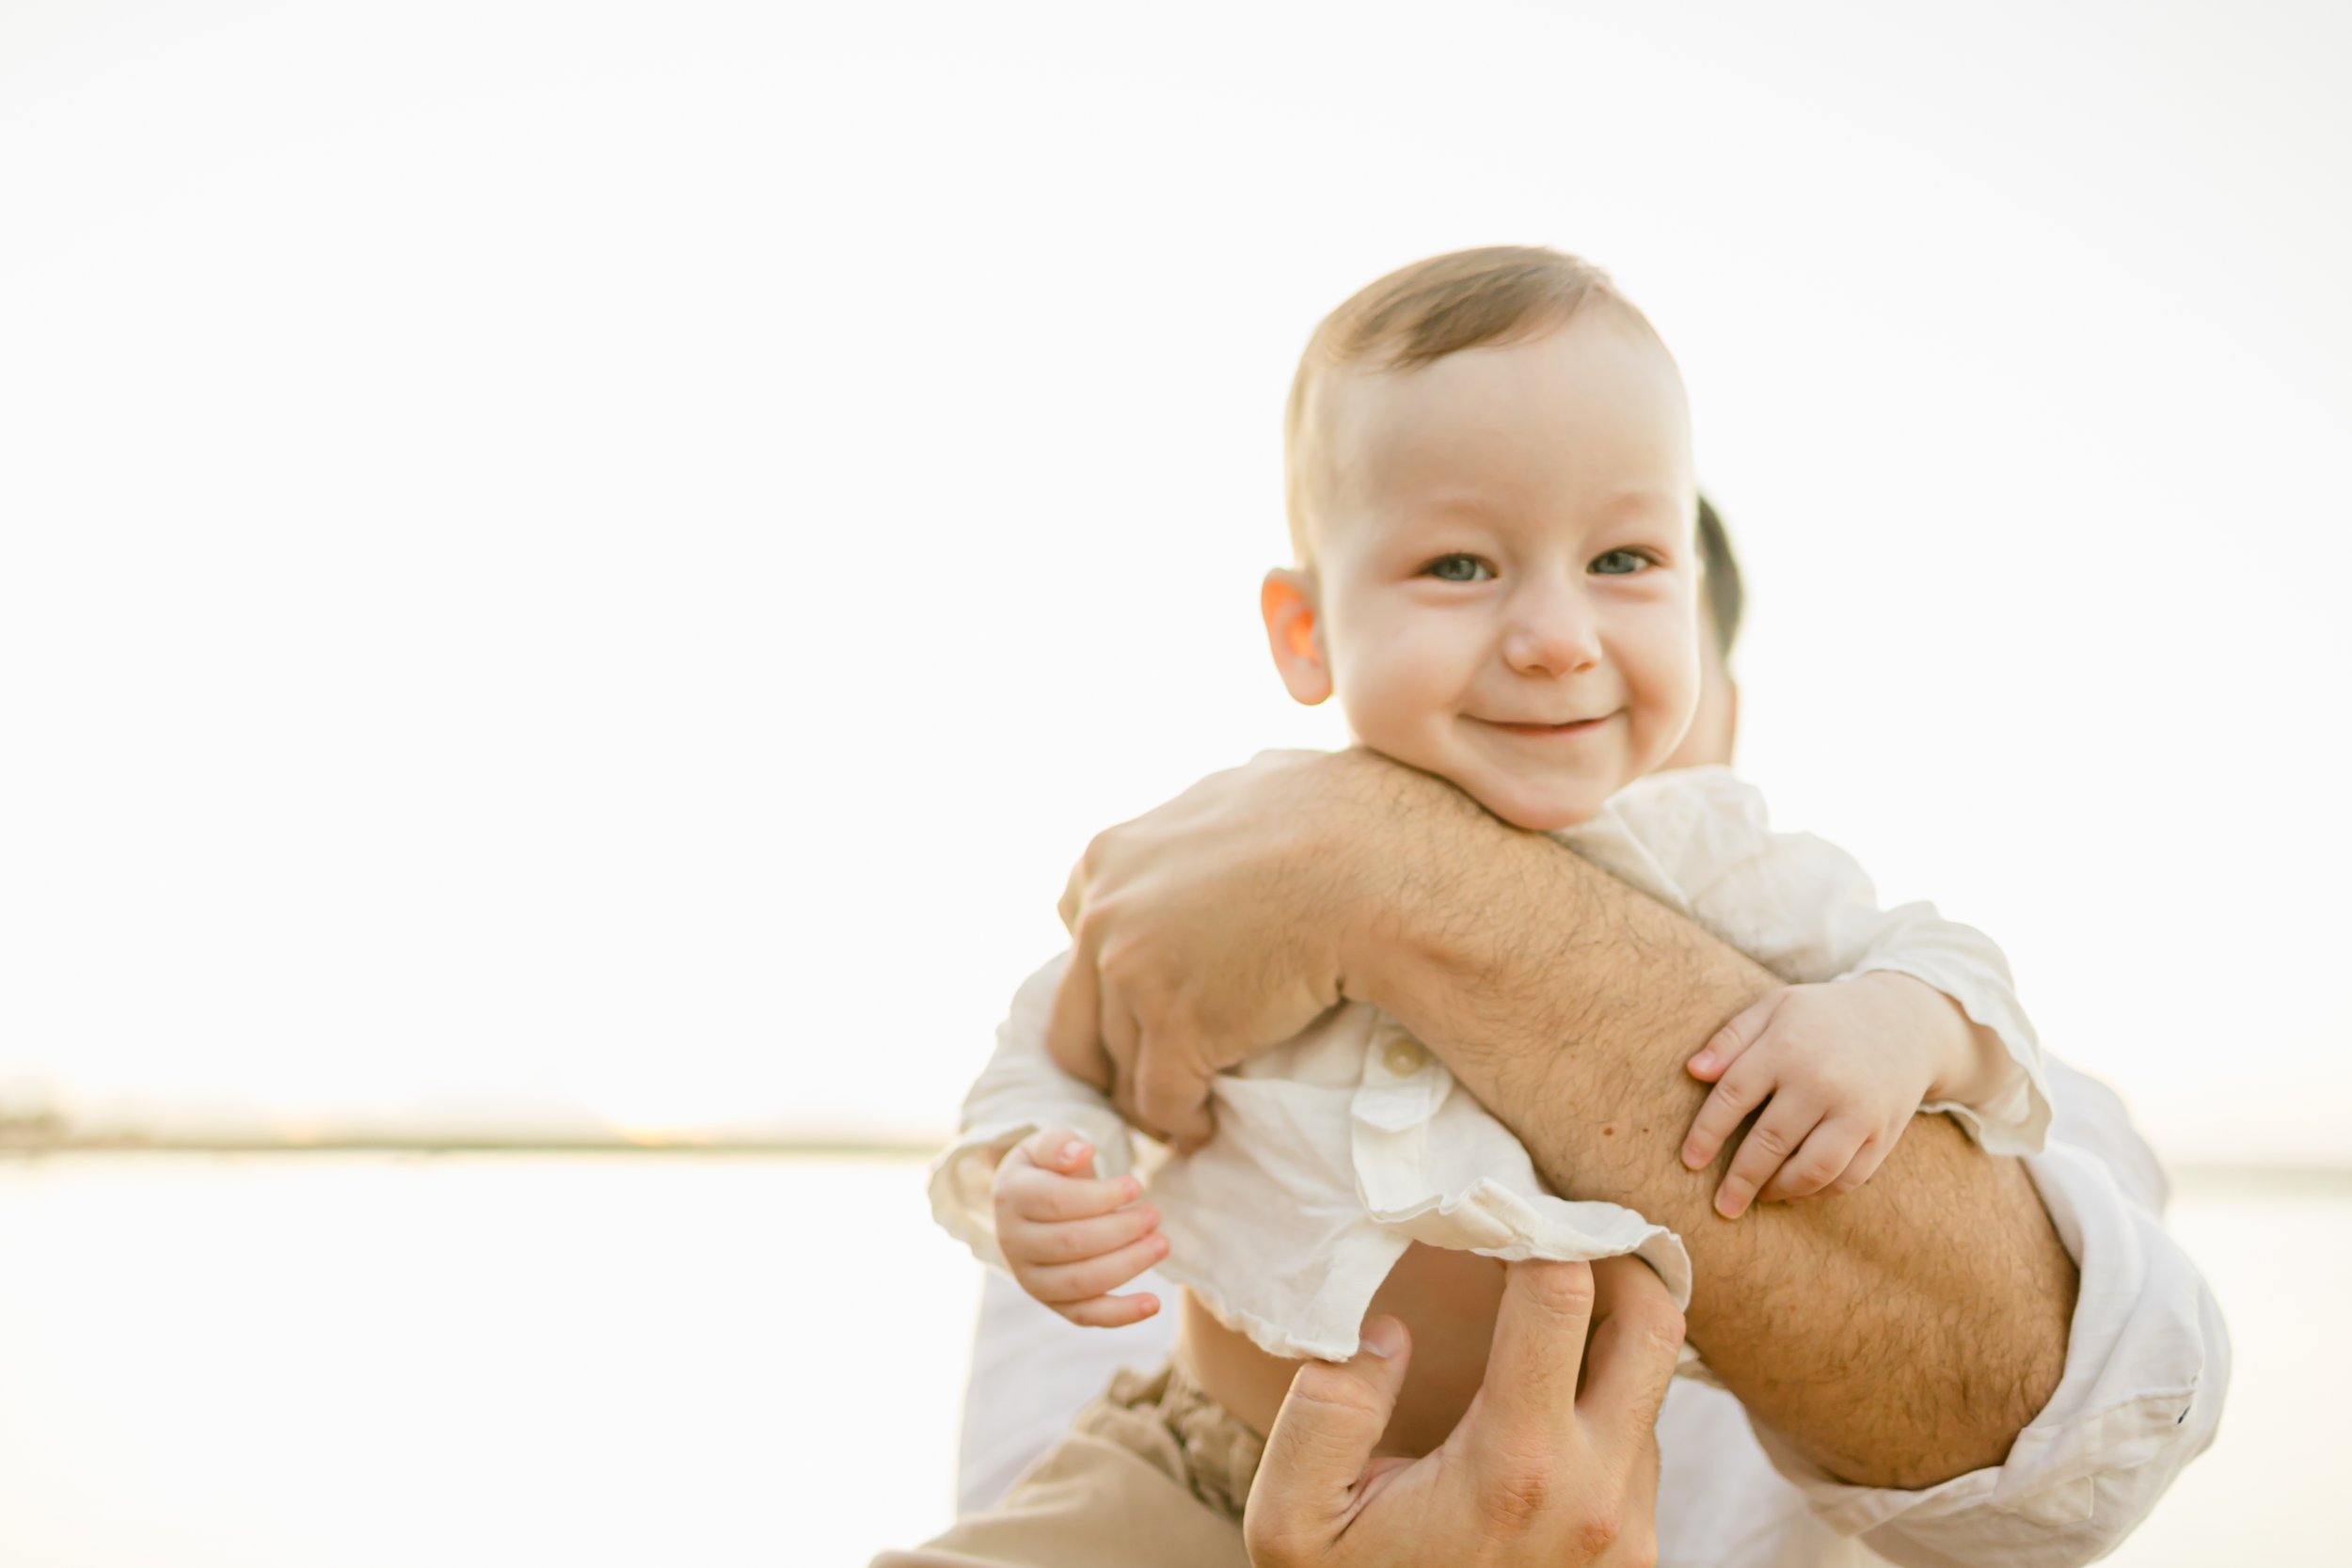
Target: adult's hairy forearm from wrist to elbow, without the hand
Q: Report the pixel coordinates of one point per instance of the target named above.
(1899, 1334)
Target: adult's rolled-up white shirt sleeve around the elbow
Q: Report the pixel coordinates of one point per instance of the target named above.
(2149, 1367)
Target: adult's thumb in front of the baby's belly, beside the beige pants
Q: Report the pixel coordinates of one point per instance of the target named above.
(1321, 1445)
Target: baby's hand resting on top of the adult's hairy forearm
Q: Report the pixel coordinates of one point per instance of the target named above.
(1843, 1066)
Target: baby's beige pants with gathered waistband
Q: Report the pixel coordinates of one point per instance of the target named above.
(1154, 1473)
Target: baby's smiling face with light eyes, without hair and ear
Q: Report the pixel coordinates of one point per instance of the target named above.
(1506, 584)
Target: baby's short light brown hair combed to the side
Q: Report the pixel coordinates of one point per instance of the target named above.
(1422, 314)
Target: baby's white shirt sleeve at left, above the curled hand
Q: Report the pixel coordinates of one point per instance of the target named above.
(1020, 1092)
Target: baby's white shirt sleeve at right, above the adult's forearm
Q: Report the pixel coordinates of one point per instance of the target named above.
(1808, 911)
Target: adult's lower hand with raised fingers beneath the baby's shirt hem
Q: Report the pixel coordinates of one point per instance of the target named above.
(1537, 1473)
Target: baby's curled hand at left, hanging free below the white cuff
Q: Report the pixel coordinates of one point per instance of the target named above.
(1069, 1238)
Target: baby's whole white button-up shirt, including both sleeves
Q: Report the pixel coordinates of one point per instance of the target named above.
(1347, 1144)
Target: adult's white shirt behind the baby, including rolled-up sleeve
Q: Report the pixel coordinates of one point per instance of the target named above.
(2149, 1367)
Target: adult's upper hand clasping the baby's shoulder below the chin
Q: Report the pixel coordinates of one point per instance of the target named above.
(1220, 925)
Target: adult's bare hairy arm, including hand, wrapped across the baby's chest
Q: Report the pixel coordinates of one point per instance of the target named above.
(1895, 1336)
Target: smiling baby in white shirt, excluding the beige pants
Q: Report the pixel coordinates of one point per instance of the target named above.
(1497, 575)
